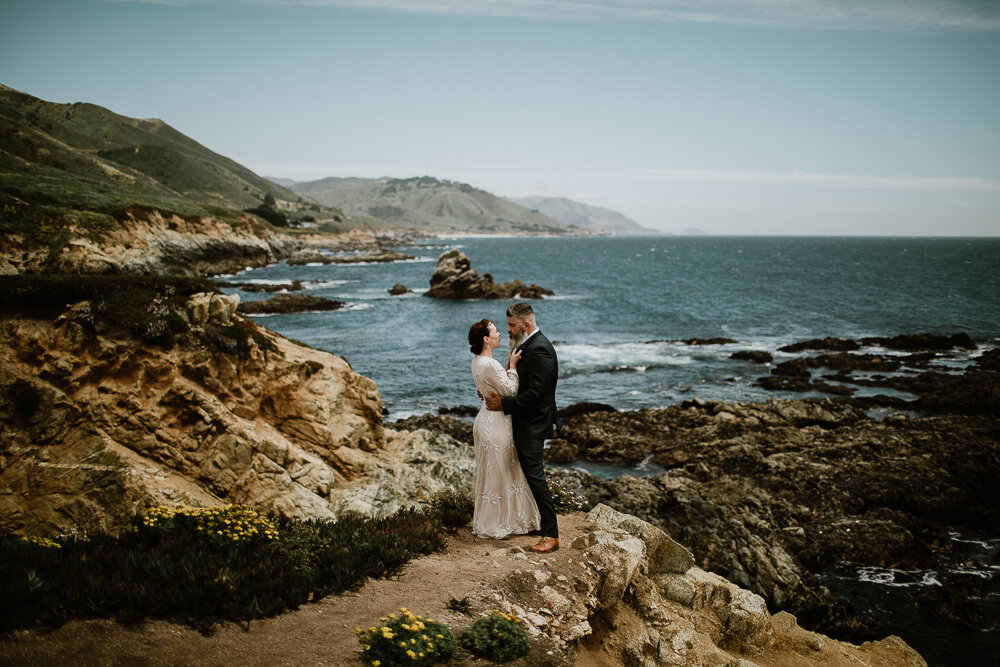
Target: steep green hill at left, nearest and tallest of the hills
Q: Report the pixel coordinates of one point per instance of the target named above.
(83, 155)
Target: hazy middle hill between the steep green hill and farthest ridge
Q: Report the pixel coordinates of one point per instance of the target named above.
(431, 205)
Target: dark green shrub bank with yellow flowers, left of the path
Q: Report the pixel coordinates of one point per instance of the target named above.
(203, 565)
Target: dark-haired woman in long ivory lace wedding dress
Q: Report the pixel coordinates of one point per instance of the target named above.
(504, 504)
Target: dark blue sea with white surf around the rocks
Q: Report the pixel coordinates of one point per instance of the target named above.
(623, 305)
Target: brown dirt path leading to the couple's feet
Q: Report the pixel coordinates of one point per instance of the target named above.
(319, 633)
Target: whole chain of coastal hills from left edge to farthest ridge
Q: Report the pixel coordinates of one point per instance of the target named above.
(83, 156)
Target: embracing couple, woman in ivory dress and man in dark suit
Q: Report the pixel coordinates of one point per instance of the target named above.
(518, 415)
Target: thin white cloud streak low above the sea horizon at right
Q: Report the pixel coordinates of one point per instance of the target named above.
(821, 180)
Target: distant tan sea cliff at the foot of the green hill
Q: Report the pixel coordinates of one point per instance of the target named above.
(149, 242)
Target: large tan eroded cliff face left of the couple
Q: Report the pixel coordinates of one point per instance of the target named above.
(97, 425)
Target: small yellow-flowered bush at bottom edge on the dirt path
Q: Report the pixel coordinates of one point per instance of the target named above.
(406, 639)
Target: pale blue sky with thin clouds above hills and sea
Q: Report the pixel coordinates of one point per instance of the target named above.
(757, 117)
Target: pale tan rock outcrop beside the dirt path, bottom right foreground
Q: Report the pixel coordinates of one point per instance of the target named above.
(629, 592)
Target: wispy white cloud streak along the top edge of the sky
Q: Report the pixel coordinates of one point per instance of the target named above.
(883, 15)
